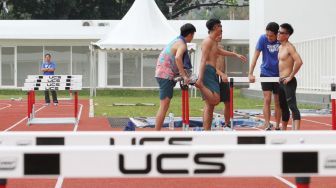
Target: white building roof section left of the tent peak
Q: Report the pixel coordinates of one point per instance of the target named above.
(53, 29)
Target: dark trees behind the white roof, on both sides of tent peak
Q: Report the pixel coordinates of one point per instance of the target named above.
(110, 9)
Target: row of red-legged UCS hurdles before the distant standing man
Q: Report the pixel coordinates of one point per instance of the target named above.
(51, 82)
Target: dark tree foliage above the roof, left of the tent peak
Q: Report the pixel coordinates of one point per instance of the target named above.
(69, 9)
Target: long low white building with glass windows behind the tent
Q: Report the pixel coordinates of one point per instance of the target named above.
(23, 44)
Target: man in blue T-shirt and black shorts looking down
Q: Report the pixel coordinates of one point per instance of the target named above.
(268, 45)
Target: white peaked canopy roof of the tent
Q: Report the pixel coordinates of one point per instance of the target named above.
(143, 27)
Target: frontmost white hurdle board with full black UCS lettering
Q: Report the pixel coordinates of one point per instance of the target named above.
(168, 161)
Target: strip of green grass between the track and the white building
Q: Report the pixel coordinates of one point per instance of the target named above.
(105, 99)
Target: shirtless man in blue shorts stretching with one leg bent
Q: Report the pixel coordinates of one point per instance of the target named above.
(207, 81)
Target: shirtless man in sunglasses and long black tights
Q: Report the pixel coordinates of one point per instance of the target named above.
(289, 64)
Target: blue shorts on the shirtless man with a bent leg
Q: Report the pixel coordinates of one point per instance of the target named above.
(210, 79)
